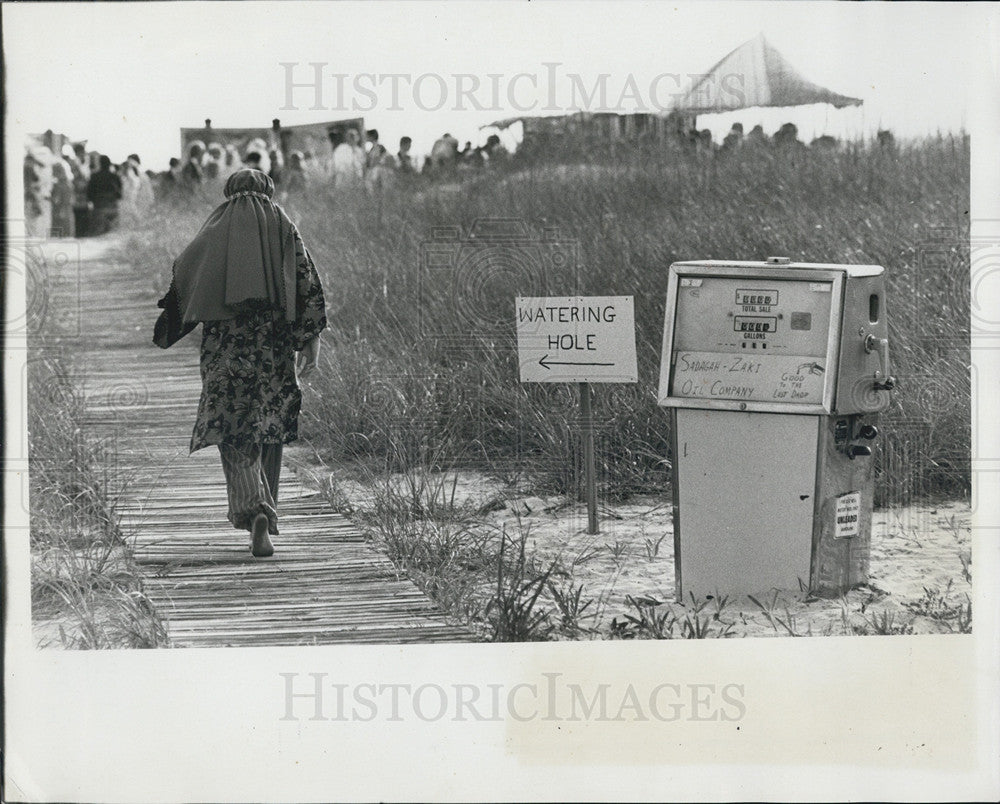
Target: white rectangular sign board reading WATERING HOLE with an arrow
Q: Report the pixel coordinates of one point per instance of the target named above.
(576, 338)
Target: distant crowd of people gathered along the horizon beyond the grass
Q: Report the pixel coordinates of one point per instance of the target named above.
(76, 193)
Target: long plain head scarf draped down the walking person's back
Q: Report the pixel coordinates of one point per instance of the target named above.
(245, 252)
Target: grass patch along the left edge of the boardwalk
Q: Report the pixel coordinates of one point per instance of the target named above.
(85, 588)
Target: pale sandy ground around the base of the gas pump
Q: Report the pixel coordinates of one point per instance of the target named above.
(912, 548)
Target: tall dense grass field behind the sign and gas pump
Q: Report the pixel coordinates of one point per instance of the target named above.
(425, 355)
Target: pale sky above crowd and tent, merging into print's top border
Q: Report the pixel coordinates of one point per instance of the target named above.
(127, 76)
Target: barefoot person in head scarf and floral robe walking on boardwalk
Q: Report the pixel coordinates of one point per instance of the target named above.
(248, 278)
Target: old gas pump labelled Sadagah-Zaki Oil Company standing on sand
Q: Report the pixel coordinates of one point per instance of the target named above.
(773, 372)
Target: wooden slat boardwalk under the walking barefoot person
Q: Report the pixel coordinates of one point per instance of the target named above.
(324, 585)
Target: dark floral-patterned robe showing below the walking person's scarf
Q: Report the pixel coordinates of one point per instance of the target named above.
(249, 392)
